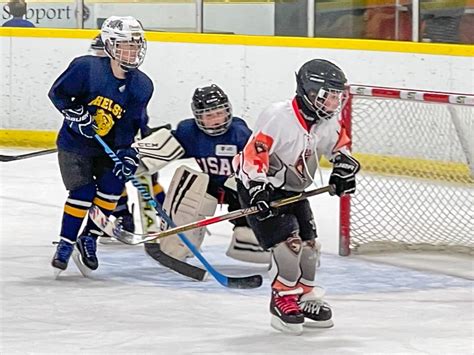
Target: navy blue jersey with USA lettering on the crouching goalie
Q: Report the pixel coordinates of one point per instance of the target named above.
(213, 153)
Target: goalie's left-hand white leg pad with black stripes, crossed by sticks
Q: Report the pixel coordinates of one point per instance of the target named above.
(185, 202)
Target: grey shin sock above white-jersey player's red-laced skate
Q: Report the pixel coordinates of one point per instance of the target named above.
(285, 263)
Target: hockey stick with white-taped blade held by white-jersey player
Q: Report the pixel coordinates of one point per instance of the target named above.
(114, 229)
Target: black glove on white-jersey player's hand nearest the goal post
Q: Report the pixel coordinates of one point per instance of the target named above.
(343, 174)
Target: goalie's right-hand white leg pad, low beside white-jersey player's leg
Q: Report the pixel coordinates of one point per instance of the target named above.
(245, 247)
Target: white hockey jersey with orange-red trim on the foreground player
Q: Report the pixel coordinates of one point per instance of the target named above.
(283, 152)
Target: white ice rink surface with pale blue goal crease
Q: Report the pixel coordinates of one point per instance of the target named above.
(132, 305)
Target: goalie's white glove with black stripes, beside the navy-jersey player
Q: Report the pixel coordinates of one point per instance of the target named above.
(157, 150)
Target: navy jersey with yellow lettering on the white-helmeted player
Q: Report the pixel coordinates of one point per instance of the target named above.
(117, 105)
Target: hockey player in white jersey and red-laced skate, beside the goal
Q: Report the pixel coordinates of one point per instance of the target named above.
(279, 160)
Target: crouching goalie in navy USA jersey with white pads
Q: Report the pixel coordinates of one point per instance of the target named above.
(213, 137)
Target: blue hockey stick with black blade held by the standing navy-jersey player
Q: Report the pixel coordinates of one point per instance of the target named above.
(252, 281)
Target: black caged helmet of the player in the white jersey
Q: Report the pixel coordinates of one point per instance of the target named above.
(322, 87)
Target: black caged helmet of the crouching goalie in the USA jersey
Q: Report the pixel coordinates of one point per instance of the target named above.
(212, 110)
